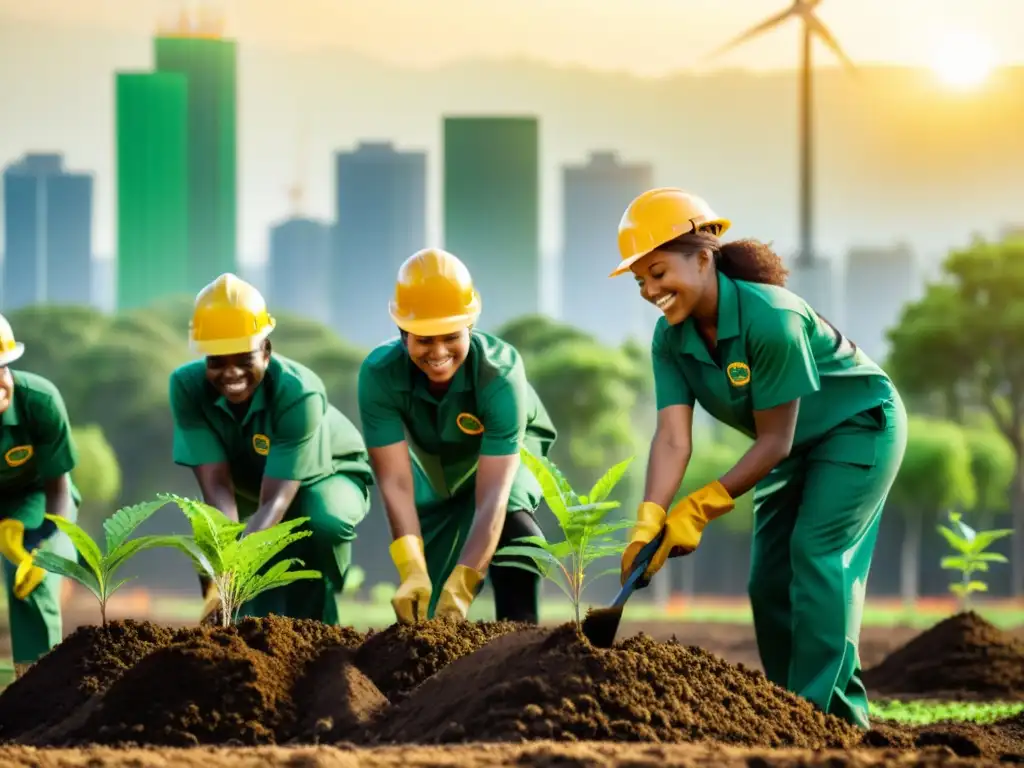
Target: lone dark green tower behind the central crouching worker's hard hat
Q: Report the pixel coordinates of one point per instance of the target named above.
(492, 210)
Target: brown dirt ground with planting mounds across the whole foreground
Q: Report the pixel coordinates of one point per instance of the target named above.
(629, 708)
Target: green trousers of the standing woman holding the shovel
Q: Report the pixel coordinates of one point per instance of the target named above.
(817, 522)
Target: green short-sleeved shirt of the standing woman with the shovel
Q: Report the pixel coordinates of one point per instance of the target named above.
(773, 349)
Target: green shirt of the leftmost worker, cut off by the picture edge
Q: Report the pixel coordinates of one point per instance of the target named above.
(36, 444)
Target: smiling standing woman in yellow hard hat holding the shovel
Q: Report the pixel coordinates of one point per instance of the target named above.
(829, 426)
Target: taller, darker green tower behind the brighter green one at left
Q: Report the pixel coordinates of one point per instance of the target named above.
(209, 66)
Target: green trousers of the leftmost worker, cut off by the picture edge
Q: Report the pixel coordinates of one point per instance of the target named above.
(36, 625)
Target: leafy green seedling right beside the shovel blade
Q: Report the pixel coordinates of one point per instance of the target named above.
(587, 537)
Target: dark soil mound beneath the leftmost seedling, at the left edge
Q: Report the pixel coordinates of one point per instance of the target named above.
(87, 664)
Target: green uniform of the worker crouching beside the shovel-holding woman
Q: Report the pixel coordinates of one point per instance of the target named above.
(446, 439)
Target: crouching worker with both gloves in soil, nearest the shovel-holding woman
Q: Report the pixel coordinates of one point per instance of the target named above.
(445, 411)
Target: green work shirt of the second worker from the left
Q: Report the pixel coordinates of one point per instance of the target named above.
(290, 432)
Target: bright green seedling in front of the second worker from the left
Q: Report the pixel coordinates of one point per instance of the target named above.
(233, 564)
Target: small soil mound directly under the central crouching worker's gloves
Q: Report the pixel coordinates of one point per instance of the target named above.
(402, 657)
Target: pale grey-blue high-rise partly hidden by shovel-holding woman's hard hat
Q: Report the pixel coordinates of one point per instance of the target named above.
(594, 197)
